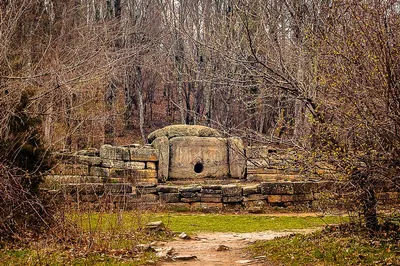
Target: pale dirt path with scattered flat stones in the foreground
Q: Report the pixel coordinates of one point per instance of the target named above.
(217, 249)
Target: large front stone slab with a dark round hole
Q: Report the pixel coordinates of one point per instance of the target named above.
(195, 157)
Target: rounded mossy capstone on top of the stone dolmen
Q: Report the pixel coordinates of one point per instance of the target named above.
(183, 130)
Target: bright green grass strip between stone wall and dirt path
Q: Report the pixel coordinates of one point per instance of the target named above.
(194, 223)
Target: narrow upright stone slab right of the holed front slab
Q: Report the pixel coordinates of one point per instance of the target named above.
(237, 159)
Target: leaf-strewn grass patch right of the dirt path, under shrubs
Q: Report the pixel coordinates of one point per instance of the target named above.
(332, 246)
